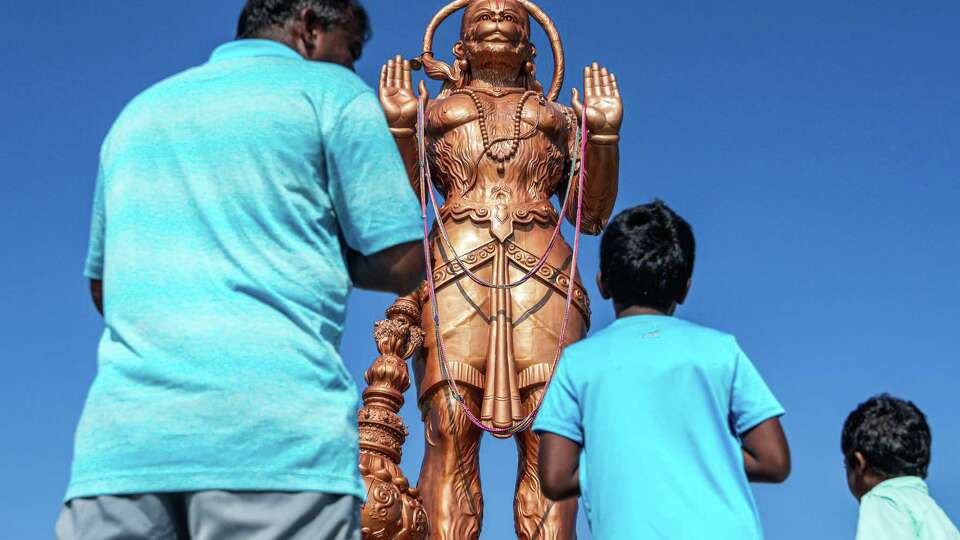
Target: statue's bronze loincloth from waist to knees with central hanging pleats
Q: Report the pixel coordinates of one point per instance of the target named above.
(500, 341)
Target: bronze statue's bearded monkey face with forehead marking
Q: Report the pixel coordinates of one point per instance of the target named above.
(496, 34)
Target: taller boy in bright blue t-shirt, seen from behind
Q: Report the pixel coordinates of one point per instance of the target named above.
(658, 423)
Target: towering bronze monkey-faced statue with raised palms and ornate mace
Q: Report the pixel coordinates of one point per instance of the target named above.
(498, 148)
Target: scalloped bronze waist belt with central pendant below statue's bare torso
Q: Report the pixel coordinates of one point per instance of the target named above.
(500, 217)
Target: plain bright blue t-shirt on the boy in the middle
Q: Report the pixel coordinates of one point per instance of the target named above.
(658, 405)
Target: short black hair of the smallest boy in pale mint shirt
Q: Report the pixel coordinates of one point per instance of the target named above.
(892, 434)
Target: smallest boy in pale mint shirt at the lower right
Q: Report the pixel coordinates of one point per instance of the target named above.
(886, 451)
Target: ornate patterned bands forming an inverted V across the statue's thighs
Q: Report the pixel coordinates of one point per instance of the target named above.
(552, 276)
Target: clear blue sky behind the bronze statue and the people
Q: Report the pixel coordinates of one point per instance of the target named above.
(814, 146)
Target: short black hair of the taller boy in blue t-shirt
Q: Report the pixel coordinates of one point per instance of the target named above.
(646, 256)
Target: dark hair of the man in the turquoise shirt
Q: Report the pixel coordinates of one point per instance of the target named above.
(258, 16)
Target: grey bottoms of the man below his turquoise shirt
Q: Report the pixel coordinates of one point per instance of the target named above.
(212, 515)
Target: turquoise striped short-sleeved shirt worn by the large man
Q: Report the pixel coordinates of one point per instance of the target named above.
(226, 200)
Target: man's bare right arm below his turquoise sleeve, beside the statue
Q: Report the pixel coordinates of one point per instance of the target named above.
(398, 269)
